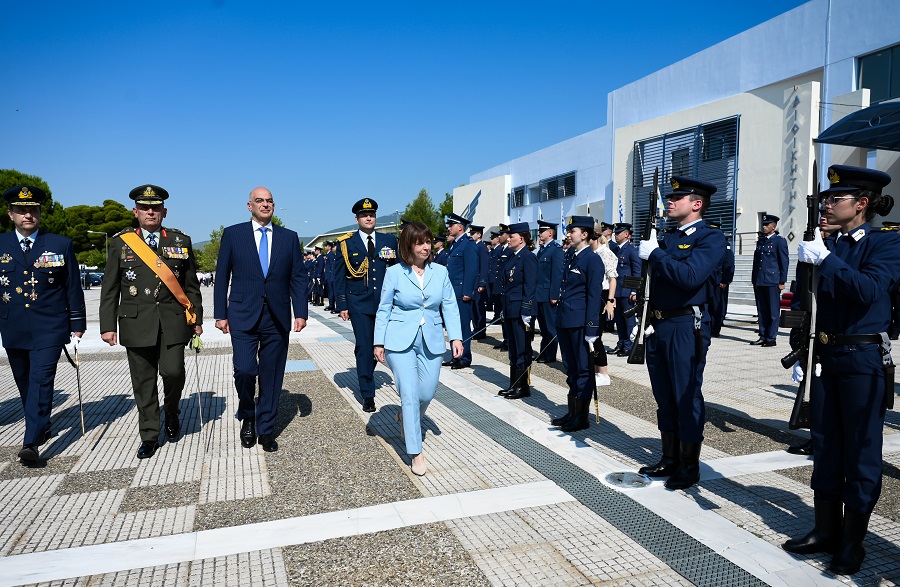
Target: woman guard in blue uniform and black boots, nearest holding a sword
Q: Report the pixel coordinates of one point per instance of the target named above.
(578, 321)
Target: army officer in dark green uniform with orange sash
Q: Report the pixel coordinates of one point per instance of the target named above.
(150, 288)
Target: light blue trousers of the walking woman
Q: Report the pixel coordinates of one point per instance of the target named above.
(416, 372)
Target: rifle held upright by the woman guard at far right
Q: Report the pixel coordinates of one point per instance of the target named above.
(804, 319)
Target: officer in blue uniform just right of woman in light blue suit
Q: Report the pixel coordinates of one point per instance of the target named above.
(462, 266)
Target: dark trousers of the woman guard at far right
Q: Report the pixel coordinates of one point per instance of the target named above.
(847, 417)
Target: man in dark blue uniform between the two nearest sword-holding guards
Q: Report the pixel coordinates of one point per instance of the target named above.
(551, 263)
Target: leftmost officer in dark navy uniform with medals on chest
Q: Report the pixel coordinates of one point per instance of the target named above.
(41, 308)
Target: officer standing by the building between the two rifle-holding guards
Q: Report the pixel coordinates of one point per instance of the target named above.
(769, 274)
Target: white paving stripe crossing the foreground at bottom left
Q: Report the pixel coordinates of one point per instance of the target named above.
(167, 550)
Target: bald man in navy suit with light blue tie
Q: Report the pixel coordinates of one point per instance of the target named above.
(264, 264)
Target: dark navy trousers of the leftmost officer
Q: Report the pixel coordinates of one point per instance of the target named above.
(34, 372)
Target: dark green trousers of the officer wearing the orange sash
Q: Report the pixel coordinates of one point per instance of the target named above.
(144, 364)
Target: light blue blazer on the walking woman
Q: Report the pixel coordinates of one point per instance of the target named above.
(404, 304)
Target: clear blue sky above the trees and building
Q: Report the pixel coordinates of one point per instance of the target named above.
(323, 103)
